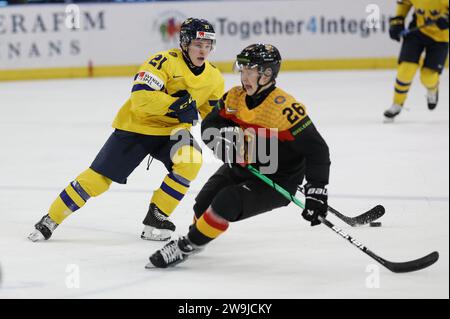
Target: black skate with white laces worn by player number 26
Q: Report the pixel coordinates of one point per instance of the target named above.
(173, 253)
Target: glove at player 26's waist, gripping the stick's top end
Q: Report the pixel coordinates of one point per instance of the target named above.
(230, 146)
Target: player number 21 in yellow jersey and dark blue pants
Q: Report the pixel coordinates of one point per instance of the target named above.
(168, 92)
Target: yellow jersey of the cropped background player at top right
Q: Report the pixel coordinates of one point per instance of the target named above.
(426, 10)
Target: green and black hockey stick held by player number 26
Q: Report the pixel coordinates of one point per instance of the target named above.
(396, 267)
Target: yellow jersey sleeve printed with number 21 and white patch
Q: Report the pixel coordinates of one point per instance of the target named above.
(148, 96)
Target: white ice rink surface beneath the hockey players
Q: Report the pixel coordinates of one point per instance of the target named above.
(51, 130)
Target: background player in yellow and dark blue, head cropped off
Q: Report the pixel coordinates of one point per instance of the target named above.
(428, 32)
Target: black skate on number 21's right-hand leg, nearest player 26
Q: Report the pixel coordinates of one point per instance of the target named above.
(157, 225)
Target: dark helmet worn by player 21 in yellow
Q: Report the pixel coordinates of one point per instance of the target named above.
(193, 28)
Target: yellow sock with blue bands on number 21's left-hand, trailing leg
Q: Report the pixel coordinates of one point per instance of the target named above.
(88, 184)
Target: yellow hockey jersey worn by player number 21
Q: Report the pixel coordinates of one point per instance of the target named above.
(162, 75)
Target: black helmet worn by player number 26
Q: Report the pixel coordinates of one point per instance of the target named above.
(262, 56)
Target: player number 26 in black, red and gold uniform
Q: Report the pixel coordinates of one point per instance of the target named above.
(233, 193)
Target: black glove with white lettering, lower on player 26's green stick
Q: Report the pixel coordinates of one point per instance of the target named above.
(316, 203)
